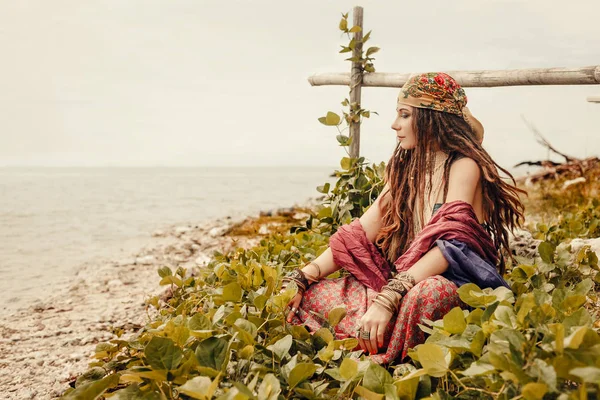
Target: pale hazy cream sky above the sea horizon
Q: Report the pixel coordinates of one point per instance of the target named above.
(224, 83)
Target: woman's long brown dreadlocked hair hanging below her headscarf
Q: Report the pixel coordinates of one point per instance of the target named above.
(406, 174)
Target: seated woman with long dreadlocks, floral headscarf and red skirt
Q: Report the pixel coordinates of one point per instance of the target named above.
(440, 221)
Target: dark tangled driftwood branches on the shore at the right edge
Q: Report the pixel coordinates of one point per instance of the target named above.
(572, 167)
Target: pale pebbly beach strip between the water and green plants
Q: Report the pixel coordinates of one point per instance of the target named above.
(46, 345)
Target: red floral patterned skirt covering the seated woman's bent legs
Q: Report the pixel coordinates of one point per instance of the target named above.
(429, 299)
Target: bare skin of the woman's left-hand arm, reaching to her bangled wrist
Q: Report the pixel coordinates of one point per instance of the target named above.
(371, 223)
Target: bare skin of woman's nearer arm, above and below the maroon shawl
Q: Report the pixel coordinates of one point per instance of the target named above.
(463, 181)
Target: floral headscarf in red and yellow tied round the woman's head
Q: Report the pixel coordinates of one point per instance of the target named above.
(439, 91)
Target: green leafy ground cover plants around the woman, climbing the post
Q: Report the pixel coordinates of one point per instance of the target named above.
(222, 333)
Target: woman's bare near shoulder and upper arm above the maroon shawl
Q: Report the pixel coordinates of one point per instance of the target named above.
(463, 180)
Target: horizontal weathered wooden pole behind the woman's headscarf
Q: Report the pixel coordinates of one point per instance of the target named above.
(485, 78)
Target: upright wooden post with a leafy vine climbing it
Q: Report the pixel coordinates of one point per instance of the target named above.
(356, 77)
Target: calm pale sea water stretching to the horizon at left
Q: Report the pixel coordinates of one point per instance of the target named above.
(53, 220)
